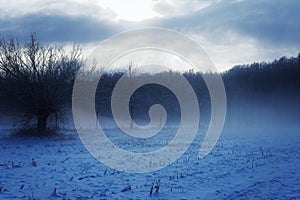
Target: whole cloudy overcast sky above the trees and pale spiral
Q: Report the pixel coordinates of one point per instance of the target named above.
(231, 31)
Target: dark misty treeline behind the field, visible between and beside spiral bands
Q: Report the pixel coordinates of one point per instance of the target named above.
(258, 94)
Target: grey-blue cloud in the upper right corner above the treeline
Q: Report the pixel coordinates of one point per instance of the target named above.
(271, 22)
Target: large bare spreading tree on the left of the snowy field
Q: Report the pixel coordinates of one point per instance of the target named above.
(38, 79)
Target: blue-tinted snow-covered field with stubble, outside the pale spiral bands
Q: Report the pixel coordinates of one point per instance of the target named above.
(239, 167)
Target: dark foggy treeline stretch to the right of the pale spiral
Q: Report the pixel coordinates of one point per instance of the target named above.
(264, 94)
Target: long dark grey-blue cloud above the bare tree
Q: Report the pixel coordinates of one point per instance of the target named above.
(58, 28)
